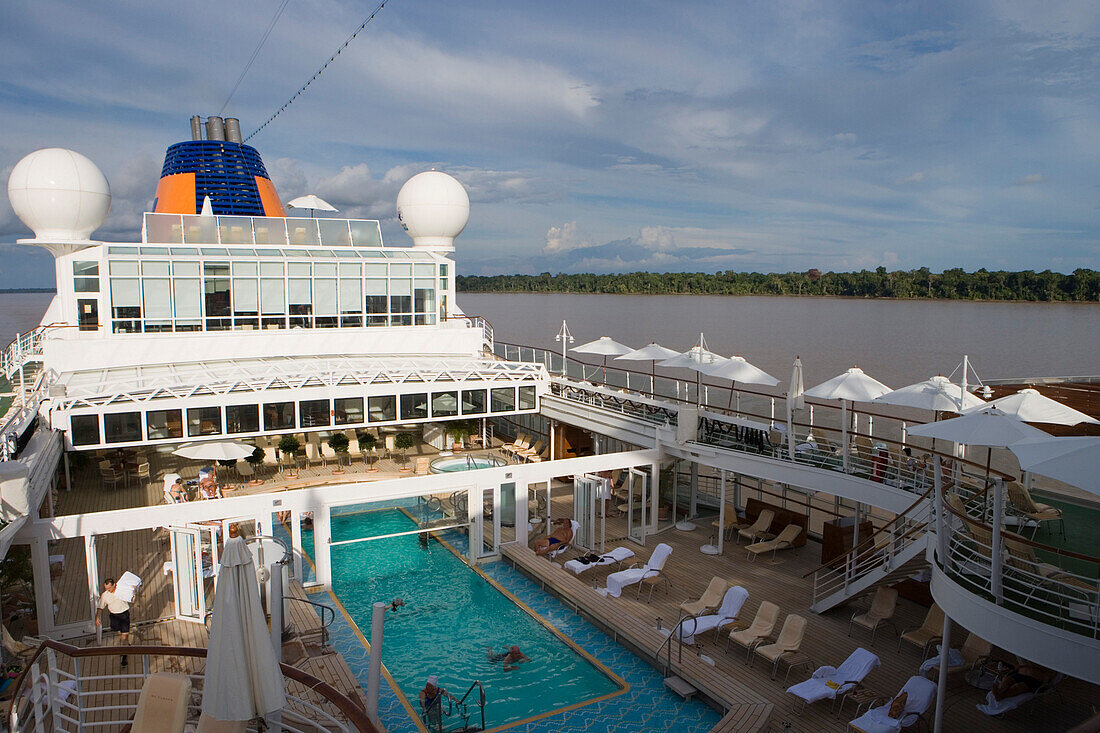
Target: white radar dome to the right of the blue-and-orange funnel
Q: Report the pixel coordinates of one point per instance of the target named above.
(434, 209)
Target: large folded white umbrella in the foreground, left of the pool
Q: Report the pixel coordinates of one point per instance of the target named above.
(243, 677)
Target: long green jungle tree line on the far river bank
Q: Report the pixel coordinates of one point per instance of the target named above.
(1082, 286)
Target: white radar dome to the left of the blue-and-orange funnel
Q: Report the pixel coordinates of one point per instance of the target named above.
(60, 194)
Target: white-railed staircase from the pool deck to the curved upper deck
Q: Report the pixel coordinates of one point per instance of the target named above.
(892, 554)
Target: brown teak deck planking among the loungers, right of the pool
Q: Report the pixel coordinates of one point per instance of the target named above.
(827, 640)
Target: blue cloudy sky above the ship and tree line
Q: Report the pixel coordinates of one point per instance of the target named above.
(603, 137)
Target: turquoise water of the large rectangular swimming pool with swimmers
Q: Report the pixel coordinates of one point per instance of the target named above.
(453, 615)
